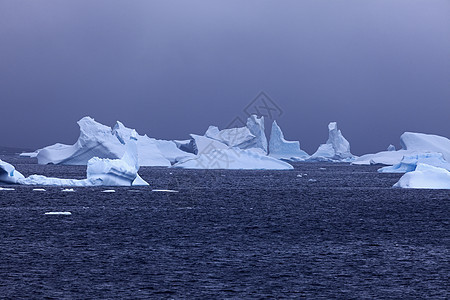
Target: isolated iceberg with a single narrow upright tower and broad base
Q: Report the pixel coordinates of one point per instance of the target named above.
(337, 148)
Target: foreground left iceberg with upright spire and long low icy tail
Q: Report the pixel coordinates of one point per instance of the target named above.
(100, 171)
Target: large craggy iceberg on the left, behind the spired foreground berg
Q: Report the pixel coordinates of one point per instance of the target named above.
(98, 140)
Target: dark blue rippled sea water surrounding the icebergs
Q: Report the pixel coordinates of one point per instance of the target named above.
(338, 231)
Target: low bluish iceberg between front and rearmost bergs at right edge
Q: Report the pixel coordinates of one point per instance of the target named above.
(409, 163)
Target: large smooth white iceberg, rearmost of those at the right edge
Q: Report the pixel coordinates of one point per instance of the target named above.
(412, 144)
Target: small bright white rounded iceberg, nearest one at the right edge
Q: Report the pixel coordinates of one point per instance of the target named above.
(425, 177)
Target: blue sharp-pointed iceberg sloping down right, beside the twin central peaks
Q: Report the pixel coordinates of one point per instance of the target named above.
(282, 149)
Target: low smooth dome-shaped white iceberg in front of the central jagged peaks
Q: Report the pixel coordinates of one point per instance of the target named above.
(234, 158)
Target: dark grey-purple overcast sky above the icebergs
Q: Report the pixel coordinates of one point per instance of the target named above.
(170, 68)
